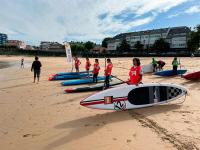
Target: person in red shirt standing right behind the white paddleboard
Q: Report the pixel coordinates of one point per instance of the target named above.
(135, 73)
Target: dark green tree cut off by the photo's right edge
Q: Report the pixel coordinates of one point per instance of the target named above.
(194, 39)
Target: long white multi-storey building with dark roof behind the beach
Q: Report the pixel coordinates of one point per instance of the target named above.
(175, 36)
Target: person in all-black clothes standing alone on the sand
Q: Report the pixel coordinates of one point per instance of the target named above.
(36, 65)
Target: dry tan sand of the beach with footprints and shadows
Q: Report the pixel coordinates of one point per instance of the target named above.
(41, 117)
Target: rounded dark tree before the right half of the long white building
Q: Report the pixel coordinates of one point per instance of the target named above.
(160, 45)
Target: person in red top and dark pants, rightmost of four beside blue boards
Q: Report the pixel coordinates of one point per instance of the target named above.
(108, 72)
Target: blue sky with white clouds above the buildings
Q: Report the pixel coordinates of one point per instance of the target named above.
(80, 20)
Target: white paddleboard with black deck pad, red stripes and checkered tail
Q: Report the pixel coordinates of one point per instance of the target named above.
(131, 96)
